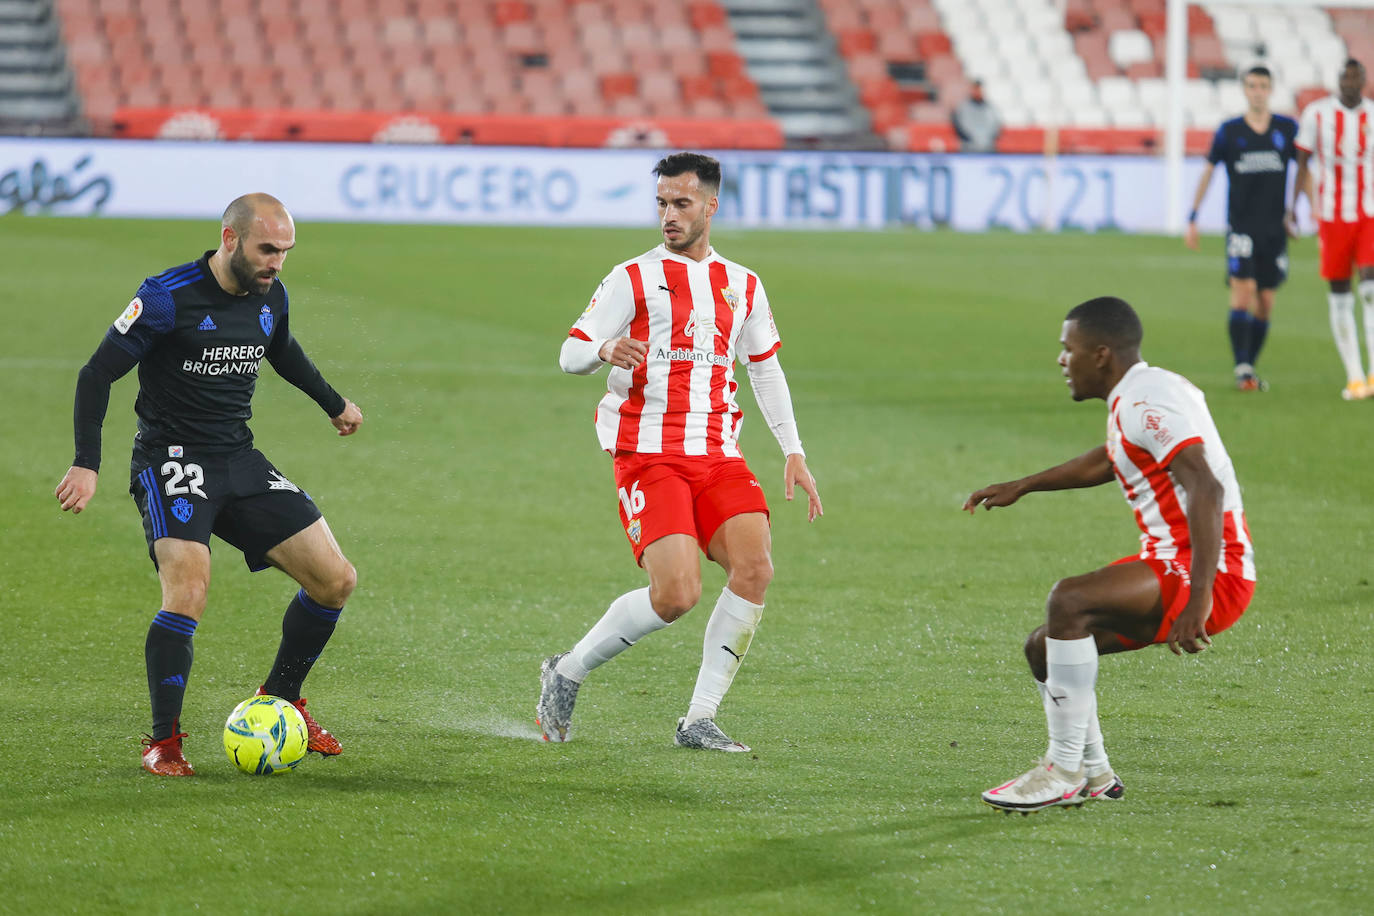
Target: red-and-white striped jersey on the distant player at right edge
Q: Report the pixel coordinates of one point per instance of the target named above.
(1342, 142)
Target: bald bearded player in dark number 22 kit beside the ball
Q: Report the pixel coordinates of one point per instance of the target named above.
(199, 334)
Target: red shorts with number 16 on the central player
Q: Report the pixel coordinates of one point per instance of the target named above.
(682, 495)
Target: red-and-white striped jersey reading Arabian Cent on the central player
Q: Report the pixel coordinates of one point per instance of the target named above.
(699, 318)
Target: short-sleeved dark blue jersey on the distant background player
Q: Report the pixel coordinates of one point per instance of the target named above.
(1257, 165)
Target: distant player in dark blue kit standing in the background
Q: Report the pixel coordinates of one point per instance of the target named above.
(1257, 150)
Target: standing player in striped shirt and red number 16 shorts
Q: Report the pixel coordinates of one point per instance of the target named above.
(671, 325)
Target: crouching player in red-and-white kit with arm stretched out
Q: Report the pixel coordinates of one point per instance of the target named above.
(1193, 577)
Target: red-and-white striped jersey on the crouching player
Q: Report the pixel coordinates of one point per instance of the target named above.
(1155, 415)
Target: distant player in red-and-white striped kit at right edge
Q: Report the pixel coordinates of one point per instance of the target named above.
(1338, 133)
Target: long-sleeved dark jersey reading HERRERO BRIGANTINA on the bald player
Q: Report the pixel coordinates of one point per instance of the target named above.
(199, 351)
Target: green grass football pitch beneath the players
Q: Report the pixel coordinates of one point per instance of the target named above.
(887, 686)
